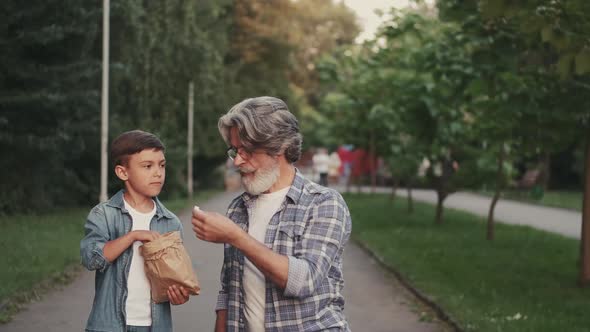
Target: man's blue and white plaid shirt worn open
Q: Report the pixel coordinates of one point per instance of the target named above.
(311, 228)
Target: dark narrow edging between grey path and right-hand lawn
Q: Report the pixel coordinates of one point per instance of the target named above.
(442, 315)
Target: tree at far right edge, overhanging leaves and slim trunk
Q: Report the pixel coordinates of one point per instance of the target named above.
(564, 26)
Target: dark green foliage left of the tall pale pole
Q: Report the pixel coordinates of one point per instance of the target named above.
(49, 103)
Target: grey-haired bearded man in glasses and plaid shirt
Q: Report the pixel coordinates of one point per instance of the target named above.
(284, 237)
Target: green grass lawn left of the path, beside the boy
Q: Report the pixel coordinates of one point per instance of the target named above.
(42, 251)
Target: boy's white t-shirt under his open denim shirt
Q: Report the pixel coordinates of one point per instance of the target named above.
(138, 304)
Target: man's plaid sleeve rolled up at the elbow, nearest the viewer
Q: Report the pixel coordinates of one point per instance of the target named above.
(326, 234)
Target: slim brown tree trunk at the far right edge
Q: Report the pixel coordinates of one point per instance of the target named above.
(585, 236)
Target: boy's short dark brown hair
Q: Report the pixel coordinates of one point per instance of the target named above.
(132, 142)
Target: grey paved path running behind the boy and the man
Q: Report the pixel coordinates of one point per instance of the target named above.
(375, 300)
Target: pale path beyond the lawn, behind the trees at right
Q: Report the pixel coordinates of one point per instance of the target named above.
(561, 221)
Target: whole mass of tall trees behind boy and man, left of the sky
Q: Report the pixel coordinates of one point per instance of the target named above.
(230, 50)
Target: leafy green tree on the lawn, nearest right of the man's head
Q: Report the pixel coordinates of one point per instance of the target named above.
(432, 71)
